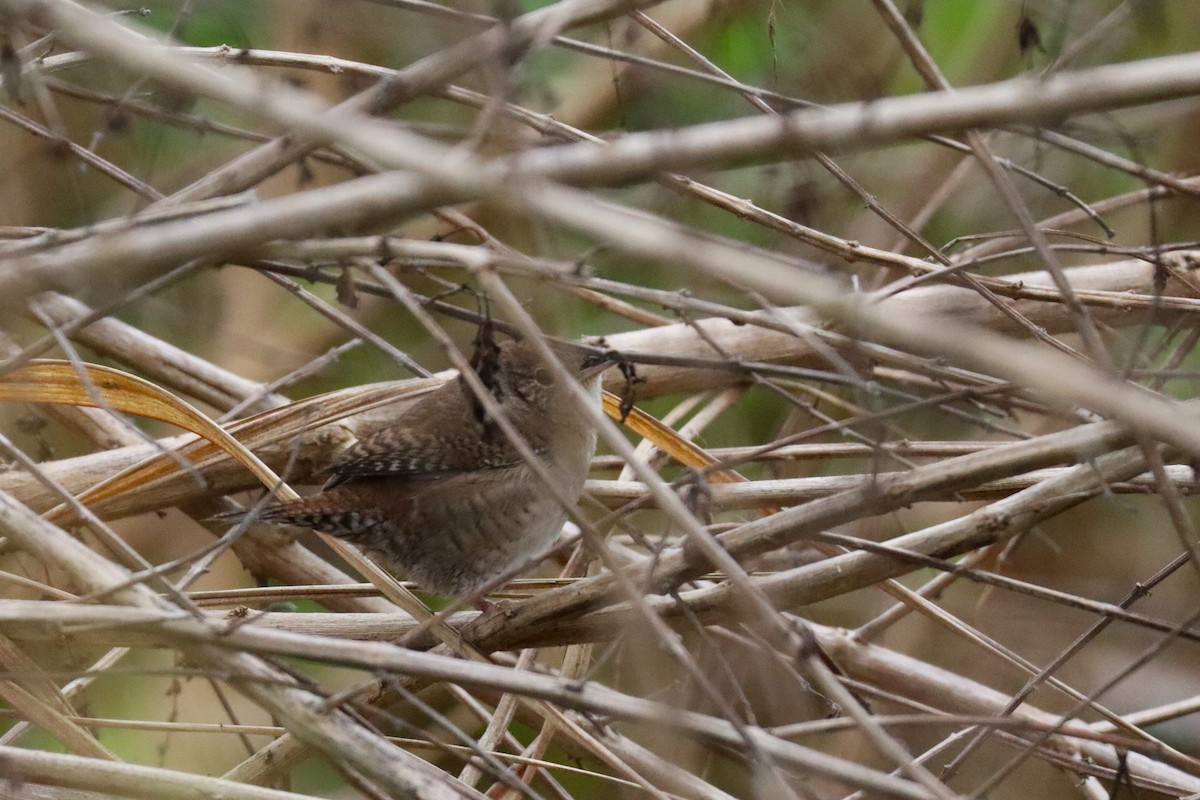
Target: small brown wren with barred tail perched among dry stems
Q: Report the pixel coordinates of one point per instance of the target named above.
(443, 497)
